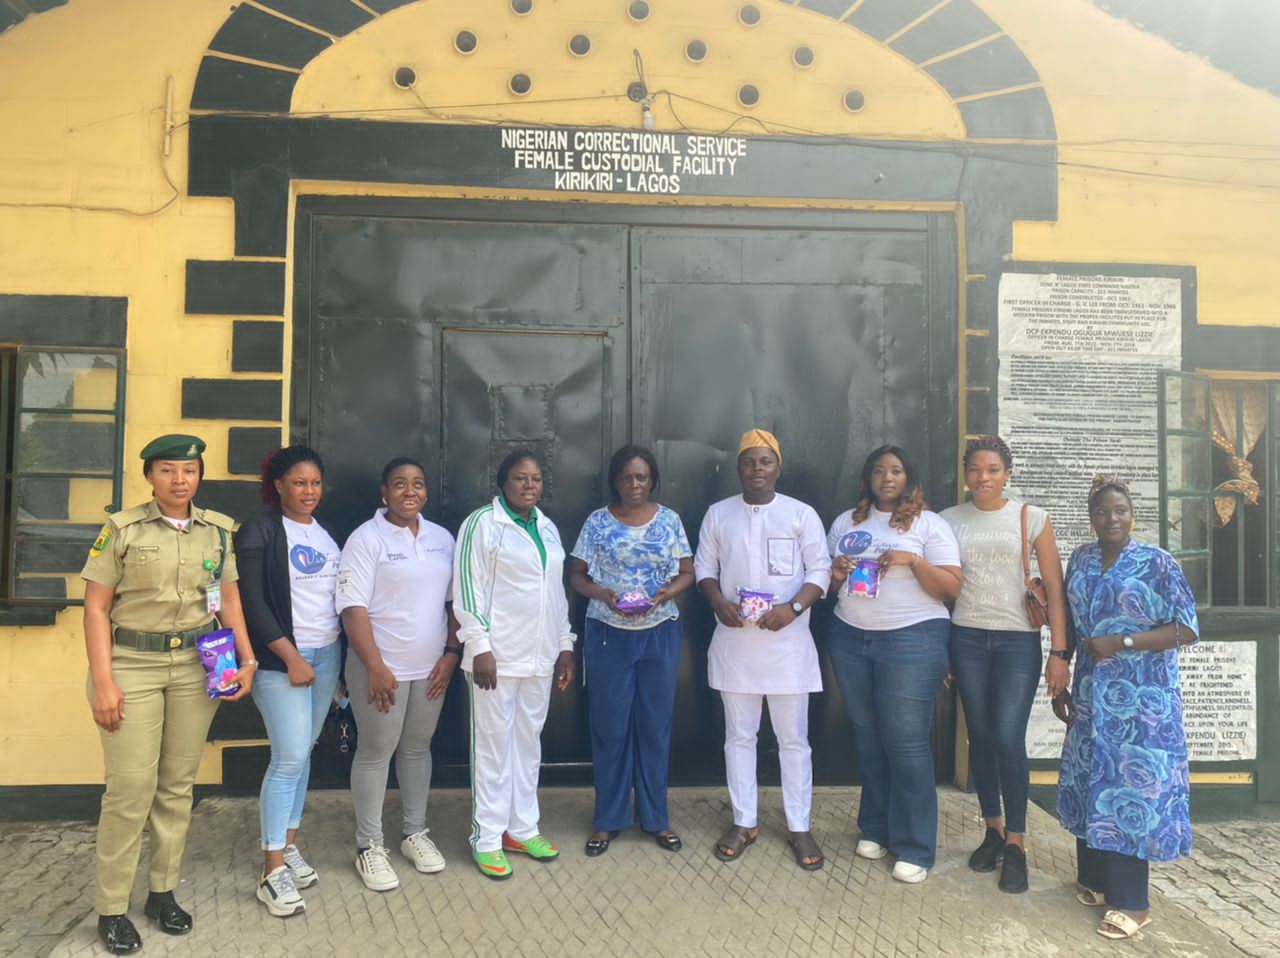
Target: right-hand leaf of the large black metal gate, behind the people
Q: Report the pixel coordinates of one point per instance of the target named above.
(825, 337)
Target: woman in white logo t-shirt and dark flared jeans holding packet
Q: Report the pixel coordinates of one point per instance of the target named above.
(889, 649)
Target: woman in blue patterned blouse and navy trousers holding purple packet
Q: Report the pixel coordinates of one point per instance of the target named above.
(632, 560)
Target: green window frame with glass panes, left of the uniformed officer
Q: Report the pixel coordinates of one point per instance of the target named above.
(15, 405)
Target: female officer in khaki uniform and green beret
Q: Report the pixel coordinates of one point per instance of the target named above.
(156, 580)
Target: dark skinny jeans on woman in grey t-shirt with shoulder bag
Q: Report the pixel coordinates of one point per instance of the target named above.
(998, 674)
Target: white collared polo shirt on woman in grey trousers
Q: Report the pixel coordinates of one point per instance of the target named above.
(404, 581)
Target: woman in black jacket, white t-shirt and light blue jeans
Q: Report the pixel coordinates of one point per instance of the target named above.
(289, 576)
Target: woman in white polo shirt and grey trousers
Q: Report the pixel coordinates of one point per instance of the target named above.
(394, 595)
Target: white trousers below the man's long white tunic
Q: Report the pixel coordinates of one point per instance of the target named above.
(789, 715)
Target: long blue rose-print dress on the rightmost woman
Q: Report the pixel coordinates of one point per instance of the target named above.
(1123, 784)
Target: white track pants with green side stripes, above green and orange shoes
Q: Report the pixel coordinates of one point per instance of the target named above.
(506, 754)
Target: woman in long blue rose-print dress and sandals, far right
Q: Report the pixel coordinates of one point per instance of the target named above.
(1123, 788)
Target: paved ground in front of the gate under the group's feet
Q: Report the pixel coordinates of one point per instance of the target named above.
(642, 901)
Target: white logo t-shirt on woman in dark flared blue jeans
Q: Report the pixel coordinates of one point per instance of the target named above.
(902, 600)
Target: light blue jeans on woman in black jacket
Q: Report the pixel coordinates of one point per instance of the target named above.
(294, 718)
